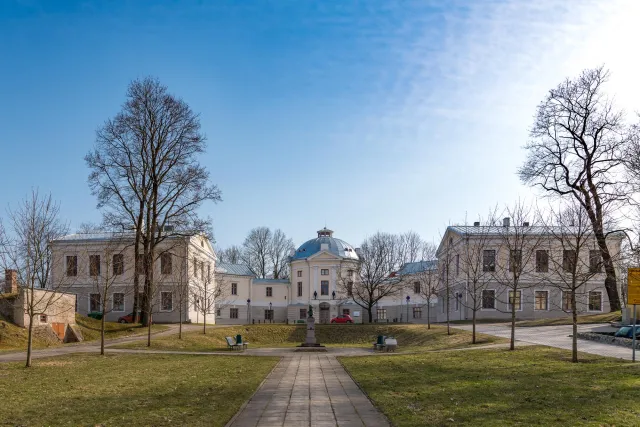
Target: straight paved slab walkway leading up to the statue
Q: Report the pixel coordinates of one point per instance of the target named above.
(309, 390)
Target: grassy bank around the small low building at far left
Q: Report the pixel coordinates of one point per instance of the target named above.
(14, 338)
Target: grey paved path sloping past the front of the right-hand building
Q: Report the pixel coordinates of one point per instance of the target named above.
(556, 336)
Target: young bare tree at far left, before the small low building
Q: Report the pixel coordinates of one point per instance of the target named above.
(34, 223)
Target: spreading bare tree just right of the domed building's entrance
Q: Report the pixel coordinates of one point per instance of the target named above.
(374, 275)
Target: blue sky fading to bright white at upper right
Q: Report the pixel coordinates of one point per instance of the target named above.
(366, 116)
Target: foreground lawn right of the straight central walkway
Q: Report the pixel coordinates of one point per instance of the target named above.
(528, 386)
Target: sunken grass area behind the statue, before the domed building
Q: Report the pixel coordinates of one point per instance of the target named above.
(410, 337)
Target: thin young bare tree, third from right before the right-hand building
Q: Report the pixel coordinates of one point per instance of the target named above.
(476, 240)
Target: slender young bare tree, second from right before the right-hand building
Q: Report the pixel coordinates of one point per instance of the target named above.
(516, 255)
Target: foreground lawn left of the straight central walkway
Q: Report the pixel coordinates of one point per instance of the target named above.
(129, 389)
